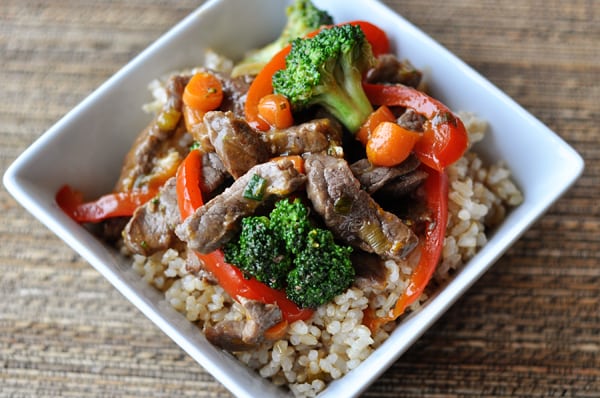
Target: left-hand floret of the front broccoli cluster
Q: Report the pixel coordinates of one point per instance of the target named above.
(259, 253)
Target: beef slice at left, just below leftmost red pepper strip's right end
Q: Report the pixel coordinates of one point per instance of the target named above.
(151, 228)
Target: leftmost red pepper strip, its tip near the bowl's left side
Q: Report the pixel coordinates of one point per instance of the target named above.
(119, 204)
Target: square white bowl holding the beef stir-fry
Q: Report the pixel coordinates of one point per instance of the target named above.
(86, 148)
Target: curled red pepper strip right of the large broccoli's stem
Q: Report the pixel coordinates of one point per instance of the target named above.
(444, 139)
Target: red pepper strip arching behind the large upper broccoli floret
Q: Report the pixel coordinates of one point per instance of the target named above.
(262, 84)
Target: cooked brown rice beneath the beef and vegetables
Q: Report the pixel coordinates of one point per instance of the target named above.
(334, 341)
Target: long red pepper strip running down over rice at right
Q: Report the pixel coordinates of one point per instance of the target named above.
(436, 198)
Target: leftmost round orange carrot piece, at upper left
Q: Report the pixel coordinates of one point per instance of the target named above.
(203, 92)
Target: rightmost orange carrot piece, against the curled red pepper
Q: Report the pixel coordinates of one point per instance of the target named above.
(390, 144)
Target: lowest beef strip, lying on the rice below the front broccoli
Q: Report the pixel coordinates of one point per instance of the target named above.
(247, 334)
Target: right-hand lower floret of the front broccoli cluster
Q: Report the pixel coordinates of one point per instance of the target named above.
(322, 270)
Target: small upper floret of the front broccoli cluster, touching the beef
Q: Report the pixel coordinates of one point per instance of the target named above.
(289, 220)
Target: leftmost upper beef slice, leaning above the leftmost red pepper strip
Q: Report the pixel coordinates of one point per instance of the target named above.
(157, 141)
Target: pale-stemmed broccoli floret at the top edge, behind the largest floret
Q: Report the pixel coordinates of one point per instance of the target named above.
(302, 18)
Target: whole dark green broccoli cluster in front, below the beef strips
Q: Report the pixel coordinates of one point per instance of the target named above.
(285, 251)
